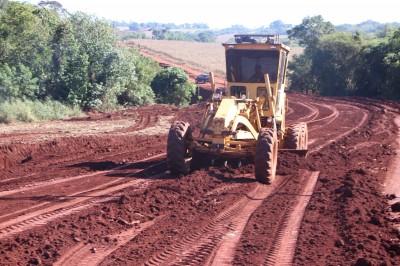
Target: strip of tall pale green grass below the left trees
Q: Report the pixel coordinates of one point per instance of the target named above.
(33, 111)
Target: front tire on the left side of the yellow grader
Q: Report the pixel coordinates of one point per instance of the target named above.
(179, 138)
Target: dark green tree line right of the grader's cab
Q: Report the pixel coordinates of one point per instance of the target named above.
(339, 63)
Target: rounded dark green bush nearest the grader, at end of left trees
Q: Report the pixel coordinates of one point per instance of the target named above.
(172, 86)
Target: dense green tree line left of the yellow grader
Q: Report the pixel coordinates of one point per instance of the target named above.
(48, 53)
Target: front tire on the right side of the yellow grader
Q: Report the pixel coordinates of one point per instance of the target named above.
(266, 157)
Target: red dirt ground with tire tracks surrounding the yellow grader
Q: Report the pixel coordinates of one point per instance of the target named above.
(95, 191)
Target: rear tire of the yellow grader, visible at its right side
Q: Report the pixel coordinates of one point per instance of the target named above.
(297, 137)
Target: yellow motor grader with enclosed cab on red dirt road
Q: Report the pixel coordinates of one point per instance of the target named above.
(249, 120)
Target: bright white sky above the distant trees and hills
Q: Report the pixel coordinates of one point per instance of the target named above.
(224, 13)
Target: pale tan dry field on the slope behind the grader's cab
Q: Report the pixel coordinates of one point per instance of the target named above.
(204, 57)
